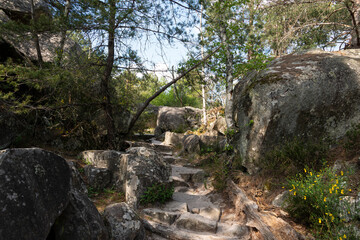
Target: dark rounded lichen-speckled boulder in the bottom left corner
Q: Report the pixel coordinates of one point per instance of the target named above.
(34, 191)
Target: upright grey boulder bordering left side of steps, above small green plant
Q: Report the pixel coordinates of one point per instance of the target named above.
(144, 169)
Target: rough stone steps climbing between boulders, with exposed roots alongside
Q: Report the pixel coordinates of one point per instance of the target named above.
(197, 212)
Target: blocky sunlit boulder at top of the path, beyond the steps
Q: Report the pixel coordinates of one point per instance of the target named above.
(177, 119)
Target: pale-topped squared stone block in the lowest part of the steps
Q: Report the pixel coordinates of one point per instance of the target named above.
(195, 223)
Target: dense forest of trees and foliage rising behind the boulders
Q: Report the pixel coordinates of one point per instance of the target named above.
(84, 78)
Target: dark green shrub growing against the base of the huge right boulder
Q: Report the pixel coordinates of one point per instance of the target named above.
(294, 156)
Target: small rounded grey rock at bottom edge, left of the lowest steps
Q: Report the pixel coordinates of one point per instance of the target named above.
(123, 223)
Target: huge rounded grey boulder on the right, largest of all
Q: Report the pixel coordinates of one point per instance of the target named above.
(309, 96)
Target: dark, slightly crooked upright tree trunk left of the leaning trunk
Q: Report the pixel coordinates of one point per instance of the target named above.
(105, 83)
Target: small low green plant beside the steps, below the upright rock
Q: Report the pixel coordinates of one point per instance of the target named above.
(158, 192)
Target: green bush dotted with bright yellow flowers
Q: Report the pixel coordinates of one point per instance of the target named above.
(318, 199)
